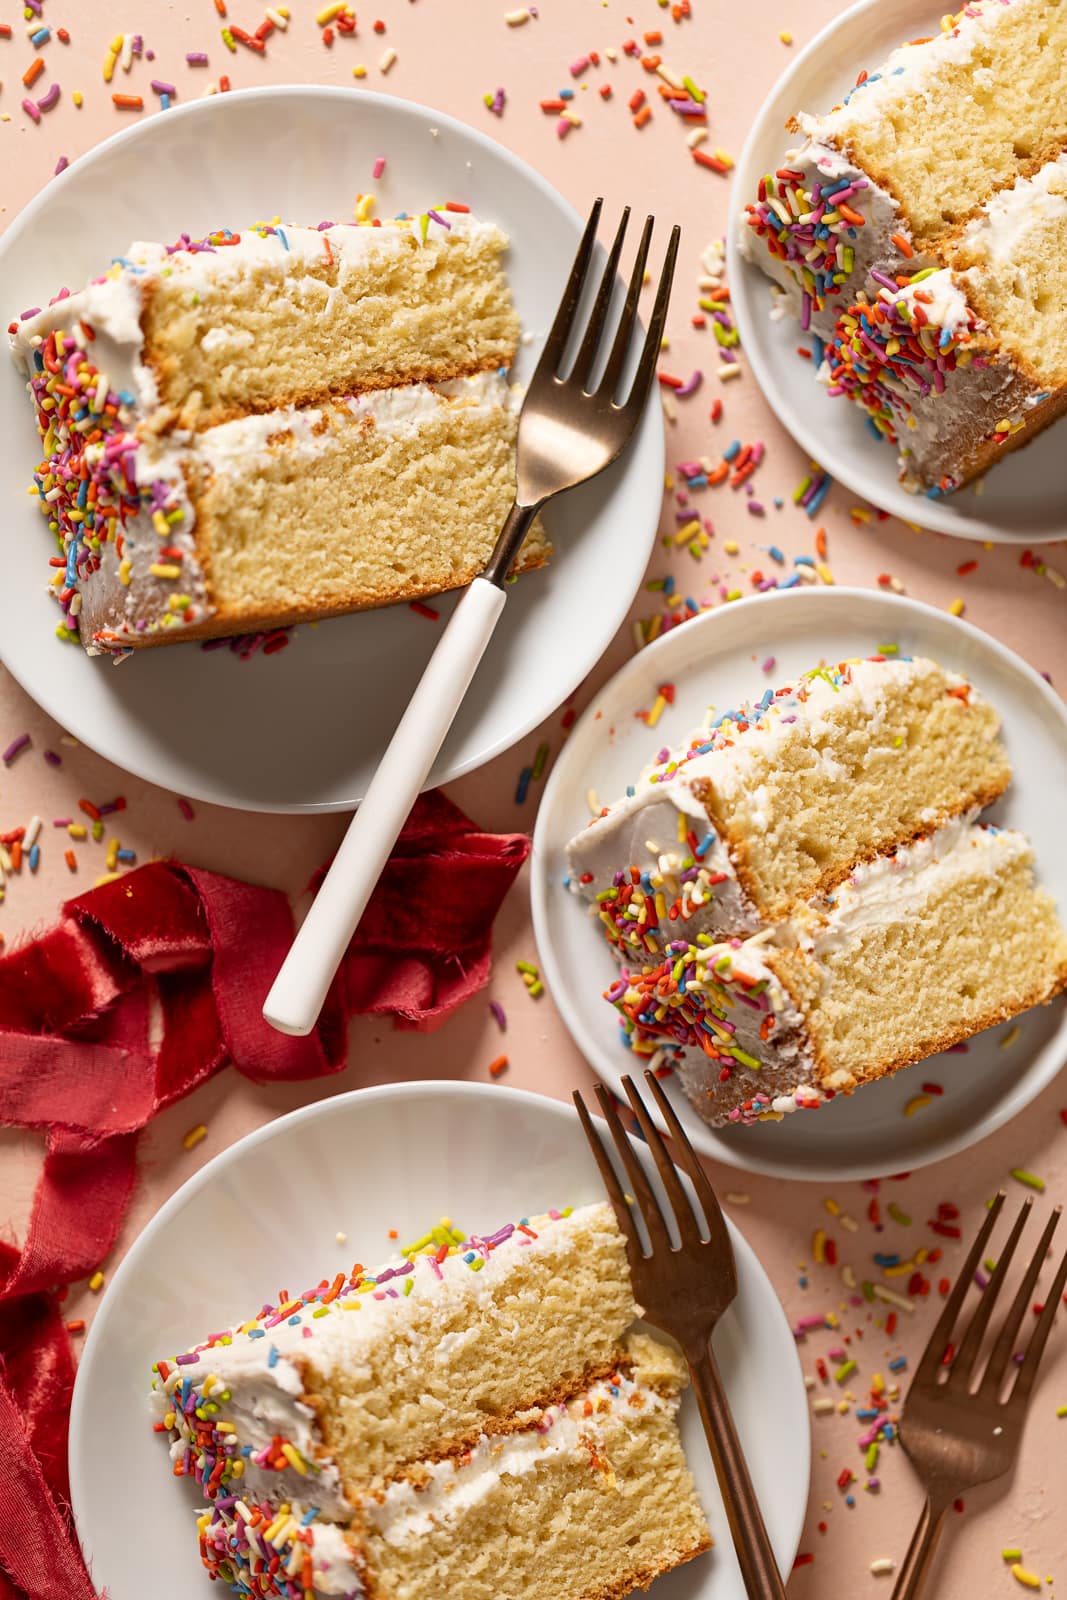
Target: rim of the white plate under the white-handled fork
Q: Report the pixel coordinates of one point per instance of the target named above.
(58, 703)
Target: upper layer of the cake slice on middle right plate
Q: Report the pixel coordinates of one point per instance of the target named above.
(780, 801)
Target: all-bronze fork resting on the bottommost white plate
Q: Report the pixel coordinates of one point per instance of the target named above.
(685, 1289)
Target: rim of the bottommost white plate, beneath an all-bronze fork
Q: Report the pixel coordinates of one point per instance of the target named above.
(450, 1089)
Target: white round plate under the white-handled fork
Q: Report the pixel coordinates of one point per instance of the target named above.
(305, 729)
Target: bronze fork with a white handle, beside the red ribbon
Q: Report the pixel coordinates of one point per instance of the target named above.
(573, 425)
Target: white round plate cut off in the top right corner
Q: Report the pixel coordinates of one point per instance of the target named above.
(1023, 497)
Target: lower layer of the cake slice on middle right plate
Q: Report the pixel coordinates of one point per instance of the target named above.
(921, 950)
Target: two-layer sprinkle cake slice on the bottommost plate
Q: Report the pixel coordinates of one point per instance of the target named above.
(473, 1420)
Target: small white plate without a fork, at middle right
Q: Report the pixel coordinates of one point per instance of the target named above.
(716, 660)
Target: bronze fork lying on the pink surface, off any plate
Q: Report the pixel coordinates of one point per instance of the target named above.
(959, 1436)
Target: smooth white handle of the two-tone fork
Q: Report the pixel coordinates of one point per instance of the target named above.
(302, 986)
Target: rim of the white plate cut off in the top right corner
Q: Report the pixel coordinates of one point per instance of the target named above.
(746, 278)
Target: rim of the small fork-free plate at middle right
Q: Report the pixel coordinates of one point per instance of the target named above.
(705, 1138)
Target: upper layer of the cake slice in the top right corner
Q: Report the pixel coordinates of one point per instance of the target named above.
(914, 151)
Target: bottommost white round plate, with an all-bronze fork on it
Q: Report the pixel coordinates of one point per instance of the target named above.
(471, 1151)
